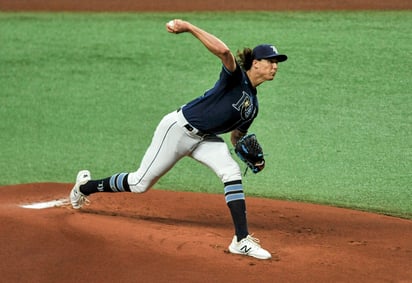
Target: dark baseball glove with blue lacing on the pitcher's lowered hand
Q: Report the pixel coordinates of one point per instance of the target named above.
(249, 151)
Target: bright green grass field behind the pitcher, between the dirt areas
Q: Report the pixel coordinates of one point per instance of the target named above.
(87, 90)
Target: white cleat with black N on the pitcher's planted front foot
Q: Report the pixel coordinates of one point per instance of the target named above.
(248, 246)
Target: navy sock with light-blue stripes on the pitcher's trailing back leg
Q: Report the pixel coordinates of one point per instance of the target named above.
(115, 183)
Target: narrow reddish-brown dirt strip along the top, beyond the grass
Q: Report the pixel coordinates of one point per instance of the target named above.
(201, 5)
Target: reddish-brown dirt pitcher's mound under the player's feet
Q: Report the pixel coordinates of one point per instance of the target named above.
(164, 236)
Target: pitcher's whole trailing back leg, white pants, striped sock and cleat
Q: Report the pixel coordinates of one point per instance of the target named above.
(169, 144)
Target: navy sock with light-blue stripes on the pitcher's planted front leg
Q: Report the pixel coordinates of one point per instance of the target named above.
(235, 199)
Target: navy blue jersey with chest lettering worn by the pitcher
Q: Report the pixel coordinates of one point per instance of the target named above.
(231, 104)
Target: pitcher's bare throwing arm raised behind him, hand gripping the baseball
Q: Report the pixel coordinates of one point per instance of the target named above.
(211, 42)
